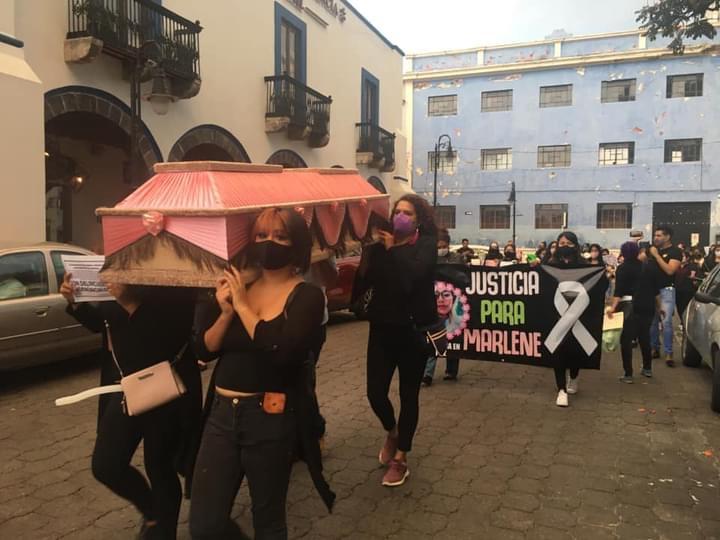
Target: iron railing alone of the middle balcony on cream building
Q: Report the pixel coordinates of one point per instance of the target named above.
(288, 97)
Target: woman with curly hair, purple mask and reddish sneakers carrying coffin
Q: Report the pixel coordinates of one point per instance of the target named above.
(400, 270)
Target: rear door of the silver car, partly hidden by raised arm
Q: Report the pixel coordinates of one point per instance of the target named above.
(74, 338)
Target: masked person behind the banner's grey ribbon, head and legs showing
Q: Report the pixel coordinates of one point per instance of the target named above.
(567, 254)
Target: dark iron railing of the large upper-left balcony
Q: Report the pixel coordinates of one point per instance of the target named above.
(126, 26)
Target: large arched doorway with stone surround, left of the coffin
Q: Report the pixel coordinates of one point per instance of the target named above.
(87, 163)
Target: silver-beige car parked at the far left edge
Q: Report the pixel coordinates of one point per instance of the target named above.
(34, 327)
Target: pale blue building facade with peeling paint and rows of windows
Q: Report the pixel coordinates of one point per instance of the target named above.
(600, 135)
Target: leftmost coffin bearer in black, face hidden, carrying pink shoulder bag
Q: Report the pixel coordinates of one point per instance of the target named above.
(144, 326)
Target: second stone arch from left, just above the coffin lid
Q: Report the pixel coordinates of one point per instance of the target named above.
(215, 139)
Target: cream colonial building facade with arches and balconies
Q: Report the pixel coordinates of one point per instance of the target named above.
(94, 92)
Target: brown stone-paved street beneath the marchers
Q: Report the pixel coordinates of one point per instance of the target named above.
(494, 458)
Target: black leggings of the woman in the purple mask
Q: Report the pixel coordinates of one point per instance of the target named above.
(393, 347)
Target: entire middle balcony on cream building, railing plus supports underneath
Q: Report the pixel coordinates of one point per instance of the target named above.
(297, 108)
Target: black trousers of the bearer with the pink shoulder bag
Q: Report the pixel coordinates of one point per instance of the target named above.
(117, 440)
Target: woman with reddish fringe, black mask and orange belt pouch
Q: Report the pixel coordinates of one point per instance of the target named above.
(264, 332)
